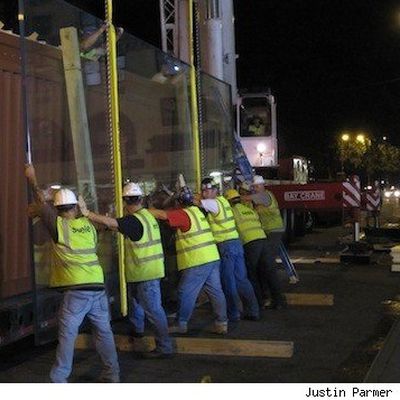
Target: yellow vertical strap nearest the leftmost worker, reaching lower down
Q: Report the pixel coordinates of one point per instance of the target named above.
(113, 101)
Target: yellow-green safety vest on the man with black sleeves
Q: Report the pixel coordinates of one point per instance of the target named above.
(145, 258)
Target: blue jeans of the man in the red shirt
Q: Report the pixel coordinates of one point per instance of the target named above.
(192, 281)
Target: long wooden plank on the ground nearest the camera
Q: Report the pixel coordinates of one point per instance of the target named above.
(203, 346)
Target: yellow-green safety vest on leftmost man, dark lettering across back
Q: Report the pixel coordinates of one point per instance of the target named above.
(75, 260)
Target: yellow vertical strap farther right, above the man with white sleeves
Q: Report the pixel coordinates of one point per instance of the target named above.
(193, 102)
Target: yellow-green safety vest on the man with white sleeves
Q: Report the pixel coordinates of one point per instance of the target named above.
(223, 224)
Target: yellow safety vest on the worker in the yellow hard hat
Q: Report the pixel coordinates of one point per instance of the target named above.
(248, 223)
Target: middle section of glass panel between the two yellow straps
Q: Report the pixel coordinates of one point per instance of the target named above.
(156, 131)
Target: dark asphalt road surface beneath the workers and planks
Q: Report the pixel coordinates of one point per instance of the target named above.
(331, 343)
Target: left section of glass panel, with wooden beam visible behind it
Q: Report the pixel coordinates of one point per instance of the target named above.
(68, 125)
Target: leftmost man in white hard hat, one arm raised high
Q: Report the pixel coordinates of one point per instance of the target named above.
(77, 272)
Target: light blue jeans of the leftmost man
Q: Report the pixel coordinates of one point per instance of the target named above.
(75, 306)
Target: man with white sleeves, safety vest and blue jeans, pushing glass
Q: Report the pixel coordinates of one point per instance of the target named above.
(234, 280)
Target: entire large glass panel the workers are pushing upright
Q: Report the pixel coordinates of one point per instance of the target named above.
(68, 122)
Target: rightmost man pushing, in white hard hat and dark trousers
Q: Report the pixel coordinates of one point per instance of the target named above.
(271, 221)
